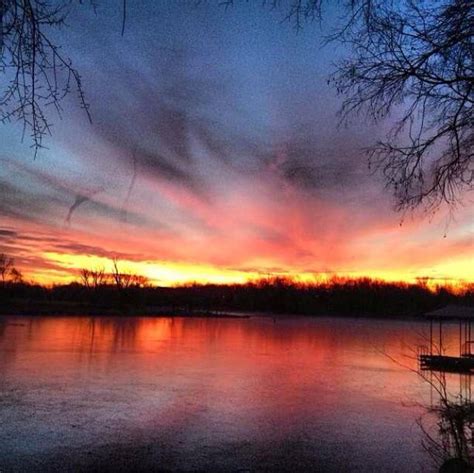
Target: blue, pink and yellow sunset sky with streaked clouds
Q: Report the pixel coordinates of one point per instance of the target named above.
(215, 154)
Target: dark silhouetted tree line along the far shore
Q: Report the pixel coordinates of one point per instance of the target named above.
(122, 292)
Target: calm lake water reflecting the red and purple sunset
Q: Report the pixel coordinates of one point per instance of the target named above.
(209, 394)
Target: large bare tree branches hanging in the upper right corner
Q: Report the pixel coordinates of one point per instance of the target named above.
(416, 59)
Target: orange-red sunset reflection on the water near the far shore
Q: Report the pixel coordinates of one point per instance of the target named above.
(297, 349)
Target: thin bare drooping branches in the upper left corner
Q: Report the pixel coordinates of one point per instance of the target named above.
(36, 72)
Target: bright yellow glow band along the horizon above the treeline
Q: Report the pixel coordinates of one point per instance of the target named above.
(172, 273)
